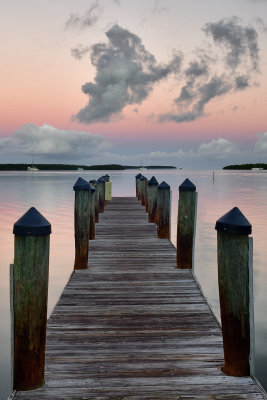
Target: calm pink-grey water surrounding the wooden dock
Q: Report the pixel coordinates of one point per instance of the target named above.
(51, 193)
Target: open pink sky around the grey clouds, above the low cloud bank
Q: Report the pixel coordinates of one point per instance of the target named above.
(41, 82)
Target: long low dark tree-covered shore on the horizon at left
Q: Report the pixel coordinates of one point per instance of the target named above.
(74, 167)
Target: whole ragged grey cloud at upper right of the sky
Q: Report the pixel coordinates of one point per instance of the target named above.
(204, 80)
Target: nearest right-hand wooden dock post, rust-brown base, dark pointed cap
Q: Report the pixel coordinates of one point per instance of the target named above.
(235, 276)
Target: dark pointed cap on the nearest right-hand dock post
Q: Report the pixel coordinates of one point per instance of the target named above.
(234, 222)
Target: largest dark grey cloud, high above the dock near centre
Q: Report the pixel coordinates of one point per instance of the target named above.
(125, 74)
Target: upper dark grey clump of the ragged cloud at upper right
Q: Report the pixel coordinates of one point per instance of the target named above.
(240, 42)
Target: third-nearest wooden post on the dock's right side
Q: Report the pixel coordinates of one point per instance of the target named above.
(163, 210)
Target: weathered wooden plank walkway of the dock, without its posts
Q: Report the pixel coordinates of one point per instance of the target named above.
(133, 326)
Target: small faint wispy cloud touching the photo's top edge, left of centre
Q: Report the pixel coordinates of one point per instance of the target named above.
(89, 18)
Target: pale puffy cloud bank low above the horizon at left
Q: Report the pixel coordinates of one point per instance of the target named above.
(48, 142)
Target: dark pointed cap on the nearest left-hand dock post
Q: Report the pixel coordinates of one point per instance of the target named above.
(32, 223)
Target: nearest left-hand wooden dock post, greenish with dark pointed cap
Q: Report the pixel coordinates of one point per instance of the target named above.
(29, 291)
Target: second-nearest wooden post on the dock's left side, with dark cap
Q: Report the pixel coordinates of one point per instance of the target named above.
(81, 223)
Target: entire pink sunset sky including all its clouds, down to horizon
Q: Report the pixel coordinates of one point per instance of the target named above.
(162, 82)
